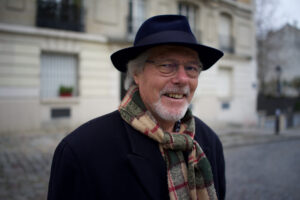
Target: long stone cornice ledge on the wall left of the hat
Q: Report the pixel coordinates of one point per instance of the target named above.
(44, 32)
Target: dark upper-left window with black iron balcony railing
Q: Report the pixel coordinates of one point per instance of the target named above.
(60, 15)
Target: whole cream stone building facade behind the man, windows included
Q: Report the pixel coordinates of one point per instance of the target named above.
(47, 46)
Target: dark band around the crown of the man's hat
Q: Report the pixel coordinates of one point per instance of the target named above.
(167, 37)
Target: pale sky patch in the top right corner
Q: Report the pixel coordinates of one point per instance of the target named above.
(288, 11)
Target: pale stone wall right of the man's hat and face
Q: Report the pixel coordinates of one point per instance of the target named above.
(238, 107)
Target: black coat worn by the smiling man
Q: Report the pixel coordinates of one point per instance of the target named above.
(107, 159)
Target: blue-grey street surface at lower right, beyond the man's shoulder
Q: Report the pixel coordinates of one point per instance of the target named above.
(264, 171)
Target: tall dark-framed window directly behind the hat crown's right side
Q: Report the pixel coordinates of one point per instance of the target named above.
(190, 11)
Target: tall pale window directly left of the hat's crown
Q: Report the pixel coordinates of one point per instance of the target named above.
(137, 15)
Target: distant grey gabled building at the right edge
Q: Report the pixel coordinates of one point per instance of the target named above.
(283, 51)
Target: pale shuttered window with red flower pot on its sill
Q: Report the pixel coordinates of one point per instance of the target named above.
(57, 71)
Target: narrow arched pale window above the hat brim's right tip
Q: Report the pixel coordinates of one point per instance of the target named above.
(225, 33)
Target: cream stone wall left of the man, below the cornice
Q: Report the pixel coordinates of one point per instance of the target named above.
(21, 105)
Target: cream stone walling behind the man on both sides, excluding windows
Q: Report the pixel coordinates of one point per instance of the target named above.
(22, 43)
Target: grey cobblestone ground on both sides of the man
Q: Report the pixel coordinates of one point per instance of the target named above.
(25, 161)
